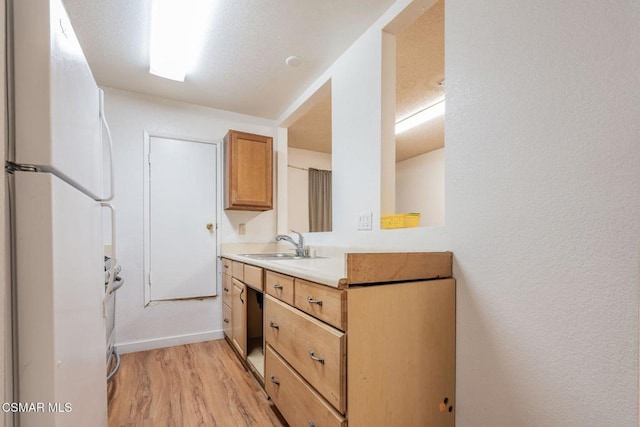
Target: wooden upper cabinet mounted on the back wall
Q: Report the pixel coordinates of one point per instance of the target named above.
(248, 171)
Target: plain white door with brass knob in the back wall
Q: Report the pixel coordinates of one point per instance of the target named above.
(182, 219)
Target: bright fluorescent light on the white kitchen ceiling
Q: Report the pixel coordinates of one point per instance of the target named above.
(178, 29)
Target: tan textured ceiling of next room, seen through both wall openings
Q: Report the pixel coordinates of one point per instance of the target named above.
(419, 70)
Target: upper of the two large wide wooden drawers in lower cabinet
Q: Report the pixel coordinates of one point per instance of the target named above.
(317, 351)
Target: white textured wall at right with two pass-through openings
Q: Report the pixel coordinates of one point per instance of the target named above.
(542, 200)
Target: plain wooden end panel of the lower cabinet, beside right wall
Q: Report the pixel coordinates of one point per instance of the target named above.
(401, 354)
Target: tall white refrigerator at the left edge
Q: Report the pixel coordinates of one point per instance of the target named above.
(58, 186)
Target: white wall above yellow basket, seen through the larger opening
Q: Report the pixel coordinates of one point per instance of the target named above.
(420, 187)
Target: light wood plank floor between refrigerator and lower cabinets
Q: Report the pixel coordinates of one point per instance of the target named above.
(200, 384)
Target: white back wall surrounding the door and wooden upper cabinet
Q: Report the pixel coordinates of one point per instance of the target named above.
(129, 115)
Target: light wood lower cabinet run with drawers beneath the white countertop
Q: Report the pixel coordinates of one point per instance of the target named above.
(373, 355)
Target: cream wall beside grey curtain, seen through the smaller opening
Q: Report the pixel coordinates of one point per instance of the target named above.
(298, 184)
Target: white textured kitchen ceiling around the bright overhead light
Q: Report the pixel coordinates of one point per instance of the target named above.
(243, 66)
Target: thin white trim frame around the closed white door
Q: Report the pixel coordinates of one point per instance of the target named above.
(146, 222)
